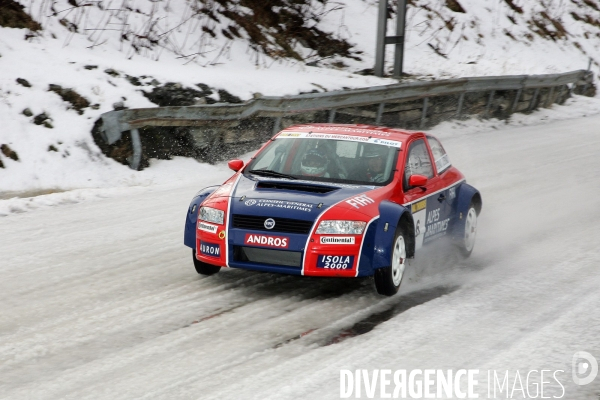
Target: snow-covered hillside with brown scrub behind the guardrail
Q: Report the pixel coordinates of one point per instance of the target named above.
(78, 44)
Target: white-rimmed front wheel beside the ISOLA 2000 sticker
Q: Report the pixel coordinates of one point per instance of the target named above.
(388, 279)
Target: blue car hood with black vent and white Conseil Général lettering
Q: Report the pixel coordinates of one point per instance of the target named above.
(285, 198)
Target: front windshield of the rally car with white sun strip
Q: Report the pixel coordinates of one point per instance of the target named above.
(321, 159)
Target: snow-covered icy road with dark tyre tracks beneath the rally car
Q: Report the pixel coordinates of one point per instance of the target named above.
(99, 298)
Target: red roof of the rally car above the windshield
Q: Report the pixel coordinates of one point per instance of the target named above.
(354, 130)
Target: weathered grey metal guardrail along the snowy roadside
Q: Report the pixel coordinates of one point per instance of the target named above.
(116, 122)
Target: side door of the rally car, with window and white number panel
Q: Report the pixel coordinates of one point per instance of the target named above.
(425, 202)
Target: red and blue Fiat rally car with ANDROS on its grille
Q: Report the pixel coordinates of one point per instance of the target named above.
(334, 200)
